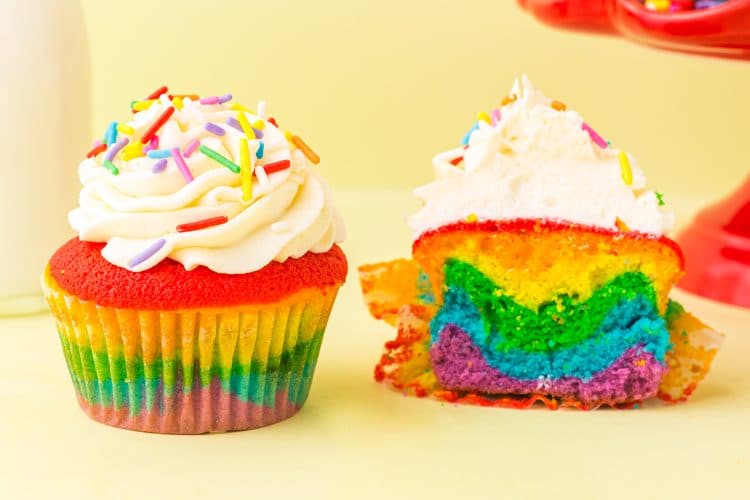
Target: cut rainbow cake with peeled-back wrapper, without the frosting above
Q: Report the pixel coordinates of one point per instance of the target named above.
(527, 310)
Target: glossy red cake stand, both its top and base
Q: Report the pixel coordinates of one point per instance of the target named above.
(717, 243)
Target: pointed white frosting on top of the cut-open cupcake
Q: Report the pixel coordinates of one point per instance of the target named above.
(537, 163)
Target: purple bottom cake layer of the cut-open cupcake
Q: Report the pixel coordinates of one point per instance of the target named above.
(459, 365)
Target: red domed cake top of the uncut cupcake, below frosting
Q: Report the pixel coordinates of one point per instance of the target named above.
(79, 268)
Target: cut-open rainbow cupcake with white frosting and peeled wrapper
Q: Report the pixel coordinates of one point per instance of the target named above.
(540, 271)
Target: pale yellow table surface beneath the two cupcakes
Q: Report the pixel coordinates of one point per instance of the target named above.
(357, 439)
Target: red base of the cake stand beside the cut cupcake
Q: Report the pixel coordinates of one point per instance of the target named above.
(717, 250)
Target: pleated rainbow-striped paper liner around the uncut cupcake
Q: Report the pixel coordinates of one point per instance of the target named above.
(192, 371)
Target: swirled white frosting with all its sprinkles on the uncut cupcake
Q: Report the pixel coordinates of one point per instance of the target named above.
(203, 182)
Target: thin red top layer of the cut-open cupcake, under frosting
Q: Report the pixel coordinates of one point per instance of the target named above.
(527, 225)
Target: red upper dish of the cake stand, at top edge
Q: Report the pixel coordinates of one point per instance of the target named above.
(722, 31)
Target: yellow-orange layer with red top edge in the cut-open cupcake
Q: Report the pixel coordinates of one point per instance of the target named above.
(535, 262)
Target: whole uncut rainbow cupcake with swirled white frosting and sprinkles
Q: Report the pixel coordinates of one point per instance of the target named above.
(195, 296)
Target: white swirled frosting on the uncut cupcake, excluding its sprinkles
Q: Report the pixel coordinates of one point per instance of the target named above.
(290, 213)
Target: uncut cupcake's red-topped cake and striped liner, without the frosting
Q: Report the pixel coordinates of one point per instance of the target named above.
(216, 362)
